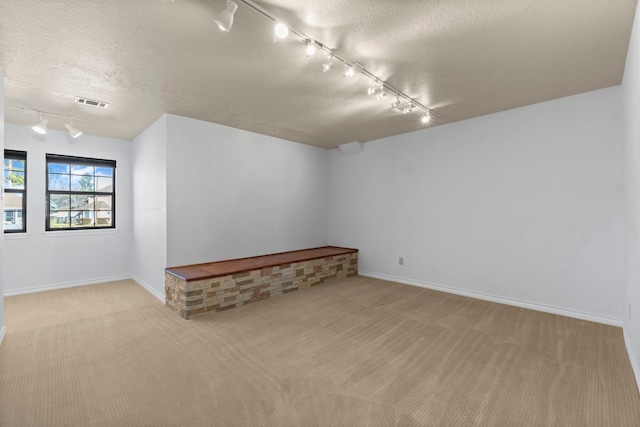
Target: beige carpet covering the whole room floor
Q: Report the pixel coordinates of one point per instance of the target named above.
(354, 352)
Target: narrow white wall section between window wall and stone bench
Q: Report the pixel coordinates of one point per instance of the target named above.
(149, 239)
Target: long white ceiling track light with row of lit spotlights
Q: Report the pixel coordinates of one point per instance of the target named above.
(351, 68)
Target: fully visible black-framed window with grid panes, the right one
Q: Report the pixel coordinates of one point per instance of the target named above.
(81, 193)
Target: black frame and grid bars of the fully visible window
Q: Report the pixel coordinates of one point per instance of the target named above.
(79, 161)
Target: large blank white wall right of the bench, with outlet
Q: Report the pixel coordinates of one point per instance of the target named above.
(523, 205)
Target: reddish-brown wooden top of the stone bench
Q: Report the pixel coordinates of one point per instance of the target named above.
(224, 268)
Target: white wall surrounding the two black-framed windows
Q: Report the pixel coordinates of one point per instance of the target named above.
(40, 260)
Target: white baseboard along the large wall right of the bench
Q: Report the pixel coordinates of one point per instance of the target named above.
(492, 298)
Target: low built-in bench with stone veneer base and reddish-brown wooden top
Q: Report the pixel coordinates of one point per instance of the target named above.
(194, 290)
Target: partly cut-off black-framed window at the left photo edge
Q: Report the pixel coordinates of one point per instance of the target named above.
(15, 191)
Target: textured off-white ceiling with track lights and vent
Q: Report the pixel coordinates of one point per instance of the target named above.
(461, 58)
